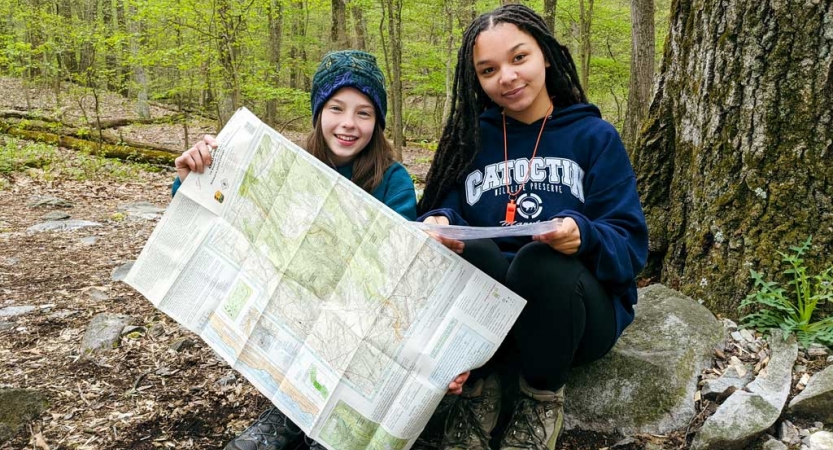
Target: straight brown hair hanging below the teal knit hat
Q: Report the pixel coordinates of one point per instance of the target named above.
(370, 164)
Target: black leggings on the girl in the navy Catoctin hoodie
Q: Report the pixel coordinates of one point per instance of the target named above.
(569, 318)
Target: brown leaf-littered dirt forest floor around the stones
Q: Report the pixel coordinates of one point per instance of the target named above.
(143, 394)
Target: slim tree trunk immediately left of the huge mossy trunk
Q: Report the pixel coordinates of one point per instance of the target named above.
(642, 69)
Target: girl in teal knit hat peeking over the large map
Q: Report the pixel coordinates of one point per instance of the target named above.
(349, 104)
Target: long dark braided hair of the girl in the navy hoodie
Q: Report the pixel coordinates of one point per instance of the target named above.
(460, 140)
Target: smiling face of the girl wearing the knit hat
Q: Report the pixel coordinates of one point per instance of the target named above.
(347, 122)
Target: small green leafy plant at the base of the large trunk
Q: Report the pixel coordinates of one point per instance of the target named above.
(792, 311)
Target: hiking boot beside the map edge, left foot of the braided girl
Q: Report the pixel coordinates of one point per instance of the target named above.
(473, 416)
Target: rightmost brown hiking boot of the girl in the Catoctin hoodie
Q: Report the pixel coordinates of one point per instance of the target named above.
(537, 421)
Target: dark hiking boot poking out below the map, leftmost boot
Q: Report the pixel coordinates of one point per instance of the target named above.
(271, 431)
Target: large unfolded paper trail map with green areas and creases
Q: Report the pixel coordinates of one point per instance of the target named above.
(347, 317)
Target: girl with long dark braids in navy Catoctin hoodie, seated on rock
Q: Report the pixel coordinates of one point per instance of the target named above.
(523, 145)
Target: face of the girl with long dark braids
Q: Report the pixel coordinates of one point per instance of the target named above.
(512, 71)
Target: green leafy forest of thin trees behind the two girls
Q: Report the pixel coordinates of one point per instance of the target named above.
(213, 56)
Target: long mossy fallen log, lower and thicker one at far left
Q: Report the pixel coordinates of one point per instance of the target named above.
(122, 151)
